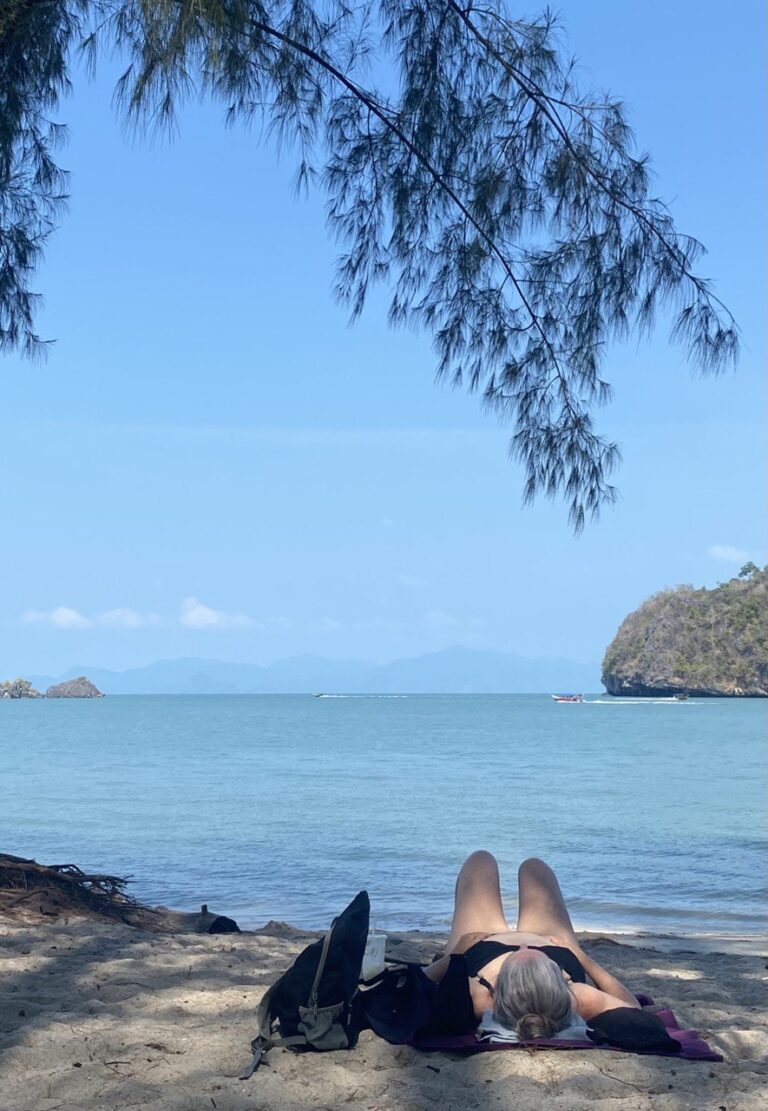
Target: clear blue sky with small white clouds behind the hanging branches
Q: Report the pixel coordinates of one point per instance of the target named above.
(212, 463)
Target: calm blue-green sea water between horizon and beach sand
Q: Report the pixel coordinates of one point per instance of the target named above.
(282, 807)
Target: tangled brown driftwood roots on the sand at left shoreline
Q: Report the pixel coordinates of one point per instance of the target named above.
(55, 889)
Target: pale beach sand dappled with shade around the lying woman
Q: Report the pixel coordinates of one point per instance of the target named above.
(103, 1016)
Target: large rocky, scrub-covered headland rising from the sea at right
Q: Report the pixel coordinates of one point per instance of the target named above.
(706, 643)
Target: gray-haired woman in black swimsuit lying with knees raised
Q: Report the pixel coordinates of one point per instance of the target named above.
(534, 979)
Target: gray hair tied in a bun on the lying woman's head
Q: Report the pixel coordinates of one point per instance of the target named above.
(533, 998)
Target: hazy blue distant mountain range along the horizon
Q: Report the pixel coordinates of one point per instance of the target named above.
(455, 670)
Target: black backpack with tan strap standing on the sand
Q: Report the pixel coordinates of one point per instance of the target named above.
(312, 1004)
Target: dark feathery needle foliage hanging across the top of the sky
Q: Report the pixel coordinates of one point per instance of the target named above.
(504, 206)
